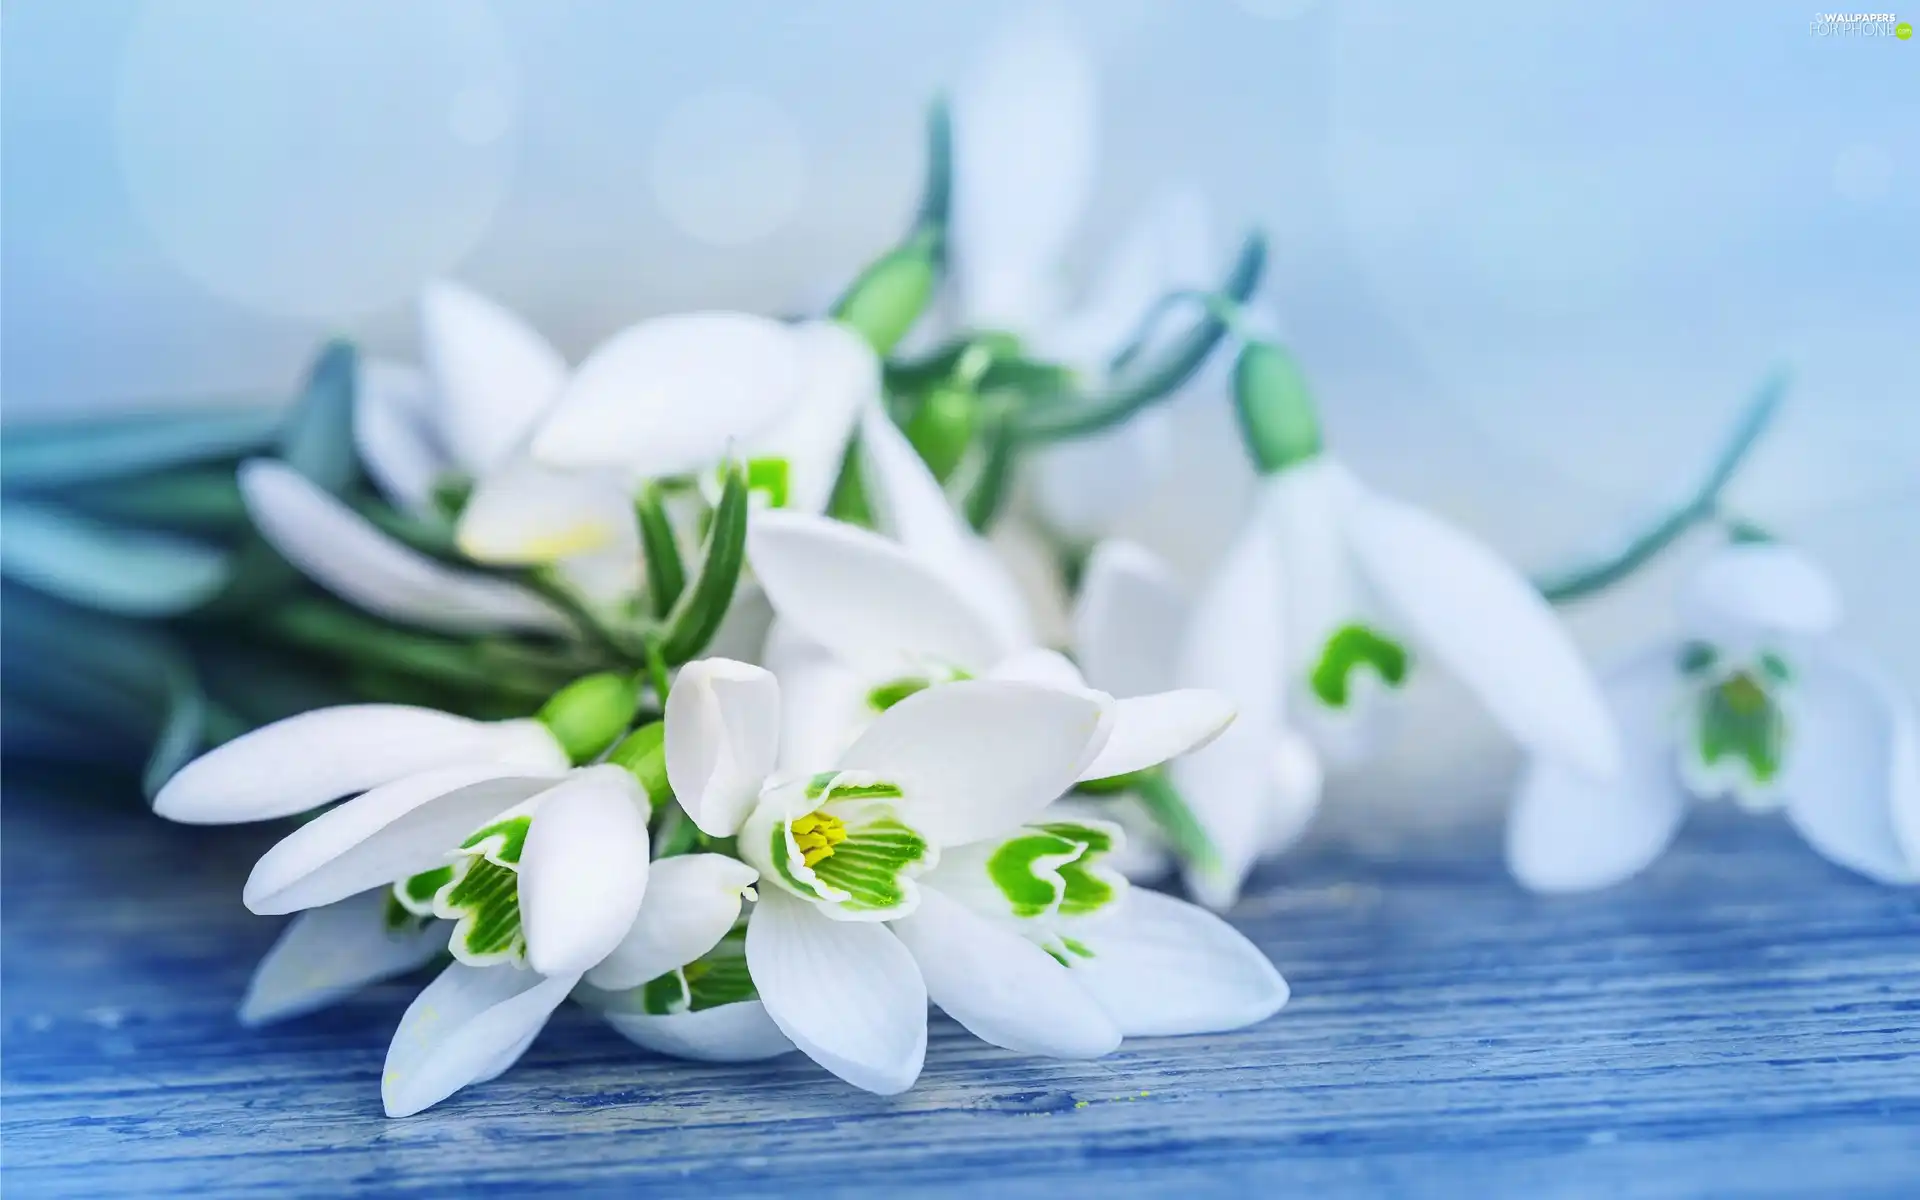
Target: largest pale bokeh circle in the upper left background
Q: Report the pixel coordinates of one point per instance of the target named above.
(316, 162)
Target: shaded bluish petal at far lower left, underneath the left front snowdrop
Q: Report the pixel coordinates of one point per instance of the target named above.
(329, 953)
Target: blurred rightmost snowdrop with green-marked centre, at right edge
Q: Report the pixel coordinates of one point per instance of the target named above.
(1756, 704)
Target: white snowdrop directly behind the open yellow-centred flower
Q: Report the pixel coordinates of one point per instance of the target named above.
(867, 621)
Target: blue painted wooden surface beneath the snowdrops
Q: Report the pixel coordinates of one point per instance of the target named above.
(1740, 1022)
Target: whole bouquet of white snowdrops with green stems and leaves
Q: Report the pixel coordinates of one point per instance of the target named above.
(684, 683)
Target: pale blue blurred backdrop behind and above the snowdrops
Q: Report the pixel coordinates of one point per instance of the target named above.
(1535, 258)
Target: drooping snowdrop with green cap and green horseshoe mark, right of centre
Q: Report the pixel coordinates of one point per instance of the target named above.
(1335, 587)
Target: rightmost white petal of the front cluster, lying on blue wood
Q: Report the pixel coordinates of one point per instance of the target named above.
(1164, 967)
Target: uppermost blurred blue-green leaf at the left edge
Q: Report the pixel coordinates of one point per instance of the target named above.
(99, 448)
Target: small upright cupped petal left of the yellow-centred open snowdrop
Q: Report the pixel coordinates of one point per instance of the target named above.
(723, 740)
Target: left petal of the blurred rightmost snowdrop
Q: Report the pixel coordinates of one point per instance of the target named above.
(1575, 832)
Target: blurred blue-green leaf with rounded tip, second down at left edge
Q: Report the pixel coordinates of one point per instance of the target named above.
(132, 573)
